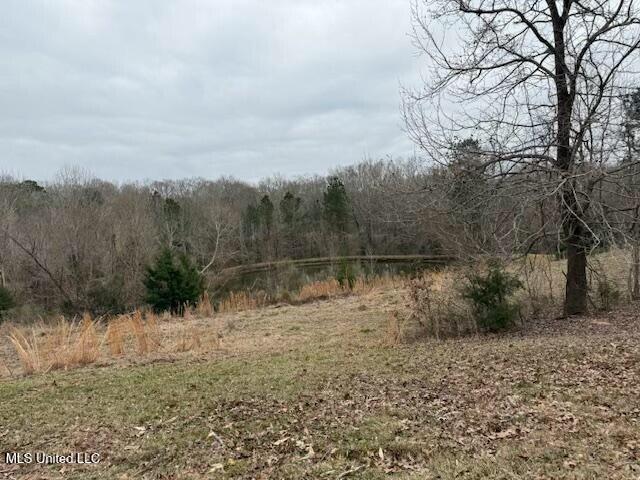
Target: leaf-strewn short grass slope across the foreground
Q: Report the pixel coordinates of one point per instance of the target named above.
(311, 392)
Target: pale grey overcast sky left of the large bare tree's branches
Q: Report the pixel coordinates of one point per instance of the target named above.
(160, 89)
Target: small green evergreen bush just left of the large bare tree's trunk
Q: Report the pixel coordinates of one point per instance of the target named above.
(489, 295)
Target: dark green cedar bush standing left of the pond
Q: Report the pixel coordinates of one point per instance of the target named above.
(173, 283)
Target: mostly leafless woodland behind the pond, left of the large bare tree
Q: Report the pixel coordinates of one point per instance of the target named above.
(79, 243)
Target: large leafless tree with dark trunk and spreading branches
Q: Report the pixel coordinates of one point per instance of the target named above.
(533, 81)
